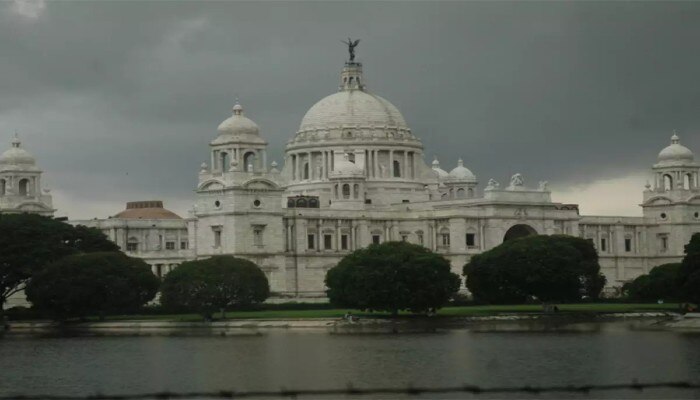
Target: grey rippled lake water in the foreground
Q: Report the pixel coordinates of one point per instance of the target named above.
(486, 355)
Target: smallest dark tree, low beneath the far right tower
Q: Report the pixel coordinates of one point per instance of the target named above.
(661, 283)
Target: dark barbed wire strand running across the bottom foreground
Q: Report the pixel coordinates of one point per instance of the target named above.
(352, 391)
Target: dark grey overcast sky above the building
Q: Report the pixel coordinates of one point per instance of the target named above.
(119, 100)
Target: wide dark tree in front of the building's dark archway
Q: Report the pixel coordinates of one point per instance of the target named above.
(548, 268)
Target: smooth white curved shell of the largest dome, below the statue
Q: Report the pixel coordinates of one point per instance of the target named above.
(351, 108)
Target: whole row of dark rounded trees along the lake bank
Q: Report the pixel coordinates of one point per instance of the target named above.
(71, 272)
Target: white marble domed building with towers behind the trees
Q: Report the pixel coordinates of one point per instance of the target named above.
(355, 174)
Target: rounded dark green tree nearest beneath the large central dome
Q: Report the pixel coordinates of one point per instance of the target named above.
(392, 276)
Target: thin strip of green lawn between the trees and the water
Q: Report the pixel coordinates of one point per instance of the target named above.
(463, 311)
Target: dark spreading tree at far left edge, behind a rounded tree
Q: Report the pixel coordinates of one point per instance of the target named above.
(29, 242)
